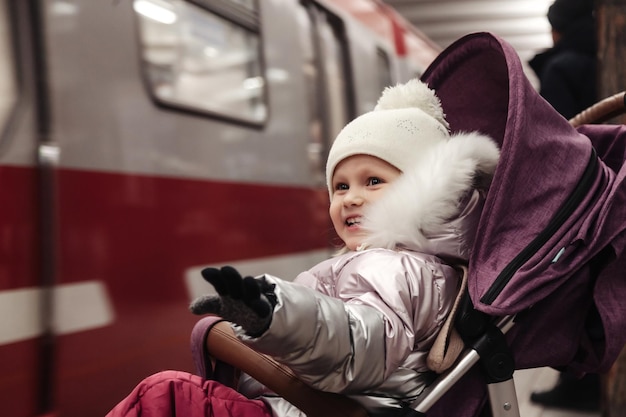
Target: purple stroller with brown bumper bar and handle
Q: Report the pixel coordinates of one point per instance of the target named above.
(544, 286)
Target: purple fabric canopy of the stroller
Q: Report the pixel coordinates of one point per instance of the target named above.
(552, 232)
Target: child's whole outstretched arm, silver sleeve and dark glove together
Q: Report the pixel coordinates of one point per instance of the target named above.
(349, 344)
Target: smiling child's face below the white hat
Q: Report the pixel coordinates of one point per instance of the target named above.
(357, 181)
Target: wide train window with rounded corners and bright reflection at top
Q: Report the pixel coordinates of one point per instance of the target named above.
(199, 59)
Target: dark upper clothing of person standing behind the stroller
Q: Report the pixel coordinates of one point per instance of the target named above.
(567, 71)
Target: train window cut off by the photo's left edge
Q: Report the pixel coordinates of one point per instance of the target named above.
(8, 93)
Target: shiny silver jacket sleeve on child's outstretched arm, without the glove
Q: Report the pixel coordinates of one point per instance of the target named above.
(353, 340)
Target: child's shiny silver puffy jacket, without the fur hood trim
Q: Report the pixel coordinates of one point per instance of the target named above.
(343, 328)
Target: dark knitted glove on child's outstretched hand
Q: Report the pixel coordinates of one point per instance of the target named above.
(248, 302)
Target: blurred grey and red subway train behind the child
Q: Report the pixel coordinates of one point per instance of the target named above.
(142, 140)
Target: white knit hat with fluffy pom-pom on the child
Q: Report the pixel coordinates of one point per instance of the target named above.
(406, 122)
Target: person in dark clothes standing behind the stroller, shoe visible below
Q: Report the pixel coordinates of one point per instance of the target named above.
(567, 75)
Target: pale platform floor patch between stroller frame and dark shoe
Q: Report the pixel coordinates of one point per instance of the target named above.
(540, 379)
